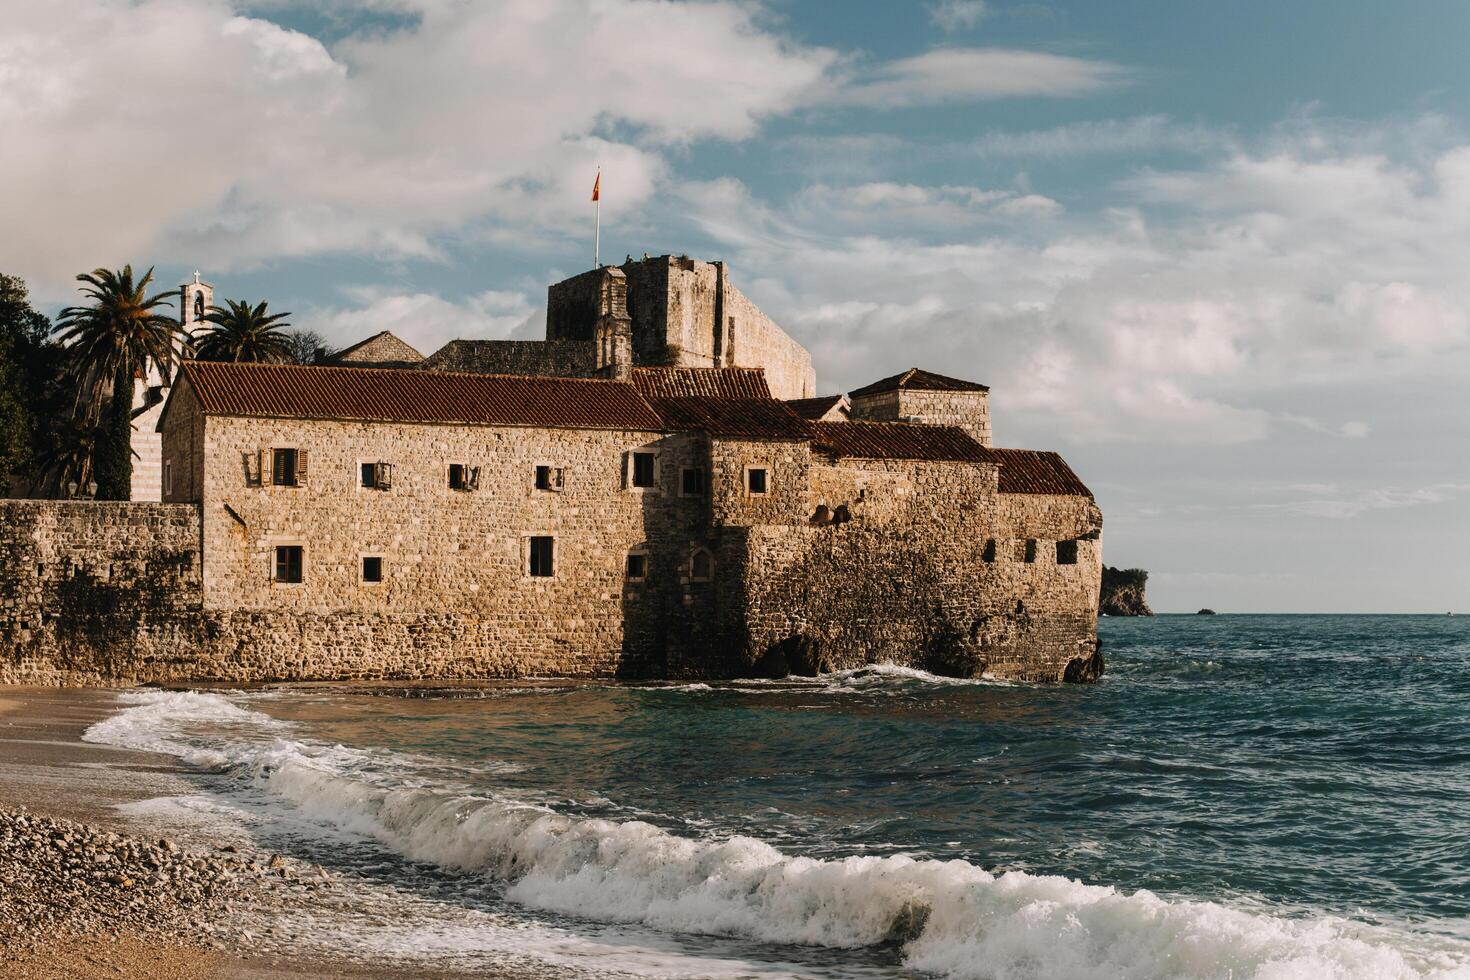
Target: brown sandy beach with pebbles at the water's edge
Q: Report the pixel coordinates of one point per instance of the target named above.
(49, 772)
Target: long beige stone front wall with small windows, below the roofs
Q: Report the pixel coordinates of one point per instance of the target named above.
(914, 563)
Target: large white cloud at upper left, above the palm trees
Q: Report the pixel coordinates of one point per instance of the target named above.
(183, 131)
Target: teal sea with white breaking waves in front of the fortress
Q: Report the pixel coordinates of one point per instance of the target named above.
(1241, 797)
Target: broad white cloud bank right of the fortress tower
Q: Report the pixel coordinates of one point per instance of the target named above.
(1219, 292)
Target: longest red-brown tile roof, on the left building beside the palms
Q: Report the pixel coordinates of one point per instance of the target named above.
(386, 394)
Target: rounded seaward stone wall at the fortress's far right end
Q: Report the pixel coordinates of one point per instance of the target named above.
(914, 578)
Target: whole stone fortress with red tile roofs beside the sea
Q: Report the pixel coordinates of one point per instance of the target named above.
(653, 491)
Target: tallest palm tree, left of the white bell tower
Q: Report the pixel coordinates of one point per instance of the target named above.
(111, 343)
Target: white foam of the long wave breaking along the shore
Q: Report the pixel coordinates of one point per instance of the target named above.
(955, 919)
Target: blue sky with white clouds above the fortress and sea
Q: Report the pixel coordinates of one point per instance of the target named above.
(1216, 255)
